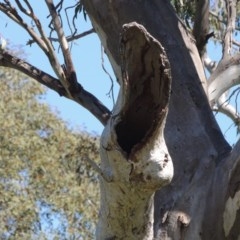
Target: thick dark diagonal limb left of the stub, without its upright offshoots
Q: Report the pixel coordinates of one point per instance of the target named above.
(82, 97)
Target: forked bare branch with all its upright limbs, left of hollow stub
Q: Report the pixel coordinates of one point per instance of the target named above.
(66, 83)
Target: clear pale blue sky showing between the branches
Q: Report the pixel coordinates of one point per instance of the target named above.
(87, 58)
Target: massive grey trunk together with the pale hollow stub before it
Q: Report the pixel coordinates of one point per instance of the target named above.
(202, 200)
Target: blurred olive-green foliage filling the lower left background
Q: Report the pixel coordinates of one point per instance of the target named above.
(42, 167)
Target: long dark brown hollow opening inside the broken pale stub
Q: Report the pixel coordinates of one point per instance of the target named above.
(145, 86)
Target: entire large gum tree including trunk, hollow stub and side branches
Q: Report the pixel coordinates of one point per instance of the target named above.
(166, 171)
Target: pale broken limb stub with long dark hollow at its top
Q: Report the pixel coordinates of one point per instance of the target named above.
(135, 159)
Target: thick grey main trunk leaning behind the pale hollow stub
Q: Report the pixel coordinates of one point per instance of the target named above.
(194, 205)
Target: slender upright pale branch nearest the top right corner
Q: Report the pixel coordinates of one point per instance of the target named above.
(231, 18)
